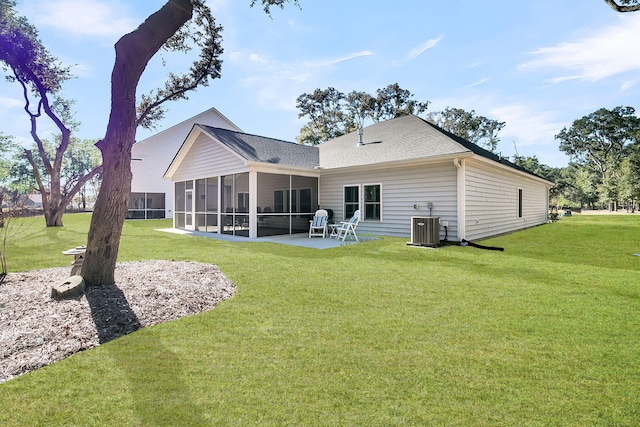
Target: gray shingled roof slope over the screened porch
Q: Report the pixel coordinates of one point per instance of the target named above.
(267, 150)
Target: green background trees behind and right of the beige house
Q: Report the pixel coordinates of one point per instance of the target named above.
(604, 171)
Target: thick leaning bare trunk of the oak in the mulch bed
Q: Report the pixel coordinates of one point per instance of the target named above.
(133, 52)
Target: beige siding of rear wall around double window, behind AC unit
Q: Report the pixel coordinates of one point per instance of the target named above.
(402, 188)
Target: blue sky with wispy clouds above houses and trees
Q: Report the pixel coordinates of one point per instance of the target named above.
(535, 65)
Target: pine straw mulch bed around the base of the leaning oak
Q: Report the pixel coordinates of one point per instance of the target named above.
(36, 330)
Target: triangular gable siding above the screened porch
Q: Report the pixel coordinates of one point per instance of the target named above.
(207, 158)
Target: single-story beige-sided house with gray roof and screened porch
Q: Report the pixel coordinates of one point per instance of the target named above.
(226, 181)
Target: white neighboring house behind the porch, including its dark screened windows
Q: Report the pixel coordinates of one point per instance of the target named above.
(151, 196)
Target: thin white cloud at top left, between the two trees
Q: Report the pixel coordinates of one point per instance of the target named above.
(83, 17)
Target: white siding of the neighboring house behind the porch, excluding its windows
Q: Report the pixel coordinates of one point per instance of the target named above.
(152, 156)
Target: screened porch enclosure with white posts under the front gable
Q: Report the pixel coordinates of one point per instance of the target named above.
(250, 204)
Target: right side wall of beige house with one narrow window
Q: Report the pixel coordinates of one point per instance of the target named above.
(492, 201)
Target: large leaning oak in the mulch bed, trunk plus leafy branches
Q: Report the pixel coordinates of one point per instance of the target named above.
(179, 25)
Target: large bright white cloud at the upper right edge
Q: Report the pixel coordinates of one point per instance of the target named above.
(604, 54)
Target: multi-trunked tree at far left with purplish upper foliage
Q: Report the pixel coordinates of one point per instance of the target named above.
(41, 75)
